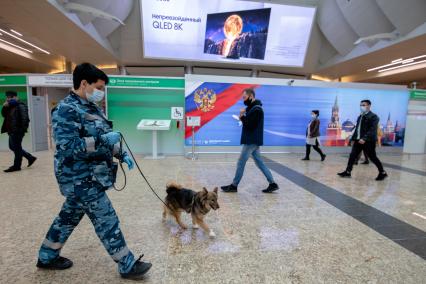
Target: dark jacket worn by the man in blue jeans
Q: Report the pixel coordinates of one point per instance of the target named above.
(253, 124)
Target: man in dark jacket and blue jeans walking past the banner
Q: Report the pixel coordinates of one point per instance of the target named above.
(252, 118)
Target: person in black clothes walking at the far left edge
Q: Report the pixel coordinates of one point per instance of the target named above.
(16, 124)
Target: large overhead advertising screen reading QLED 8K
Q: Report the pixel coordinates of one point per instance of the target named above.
(226, 31)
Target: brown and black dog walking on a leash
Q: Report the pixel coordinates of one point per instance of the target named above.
(198, 204)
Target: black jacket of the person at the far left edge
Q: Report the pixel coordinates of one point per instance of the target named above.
(16, 120)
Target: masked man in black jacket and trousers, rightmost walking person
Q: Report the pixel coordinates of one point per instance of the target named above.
(364, 138)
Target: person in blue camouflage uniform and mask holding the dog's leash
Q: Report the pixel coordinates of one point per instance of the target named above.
(84, 169)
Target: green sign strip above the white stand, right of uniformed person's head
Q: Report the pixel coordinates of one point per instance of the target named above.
(140, 82)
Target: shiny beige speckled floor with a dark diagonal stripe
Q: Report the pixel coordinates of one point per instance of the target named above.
(298, 235)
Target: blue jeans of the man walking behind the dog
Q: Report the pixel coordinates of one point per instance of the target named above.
(252, 150)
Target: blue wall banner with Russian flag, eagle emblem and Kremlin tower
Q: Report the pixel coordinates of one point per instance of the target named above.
(288, 112)
